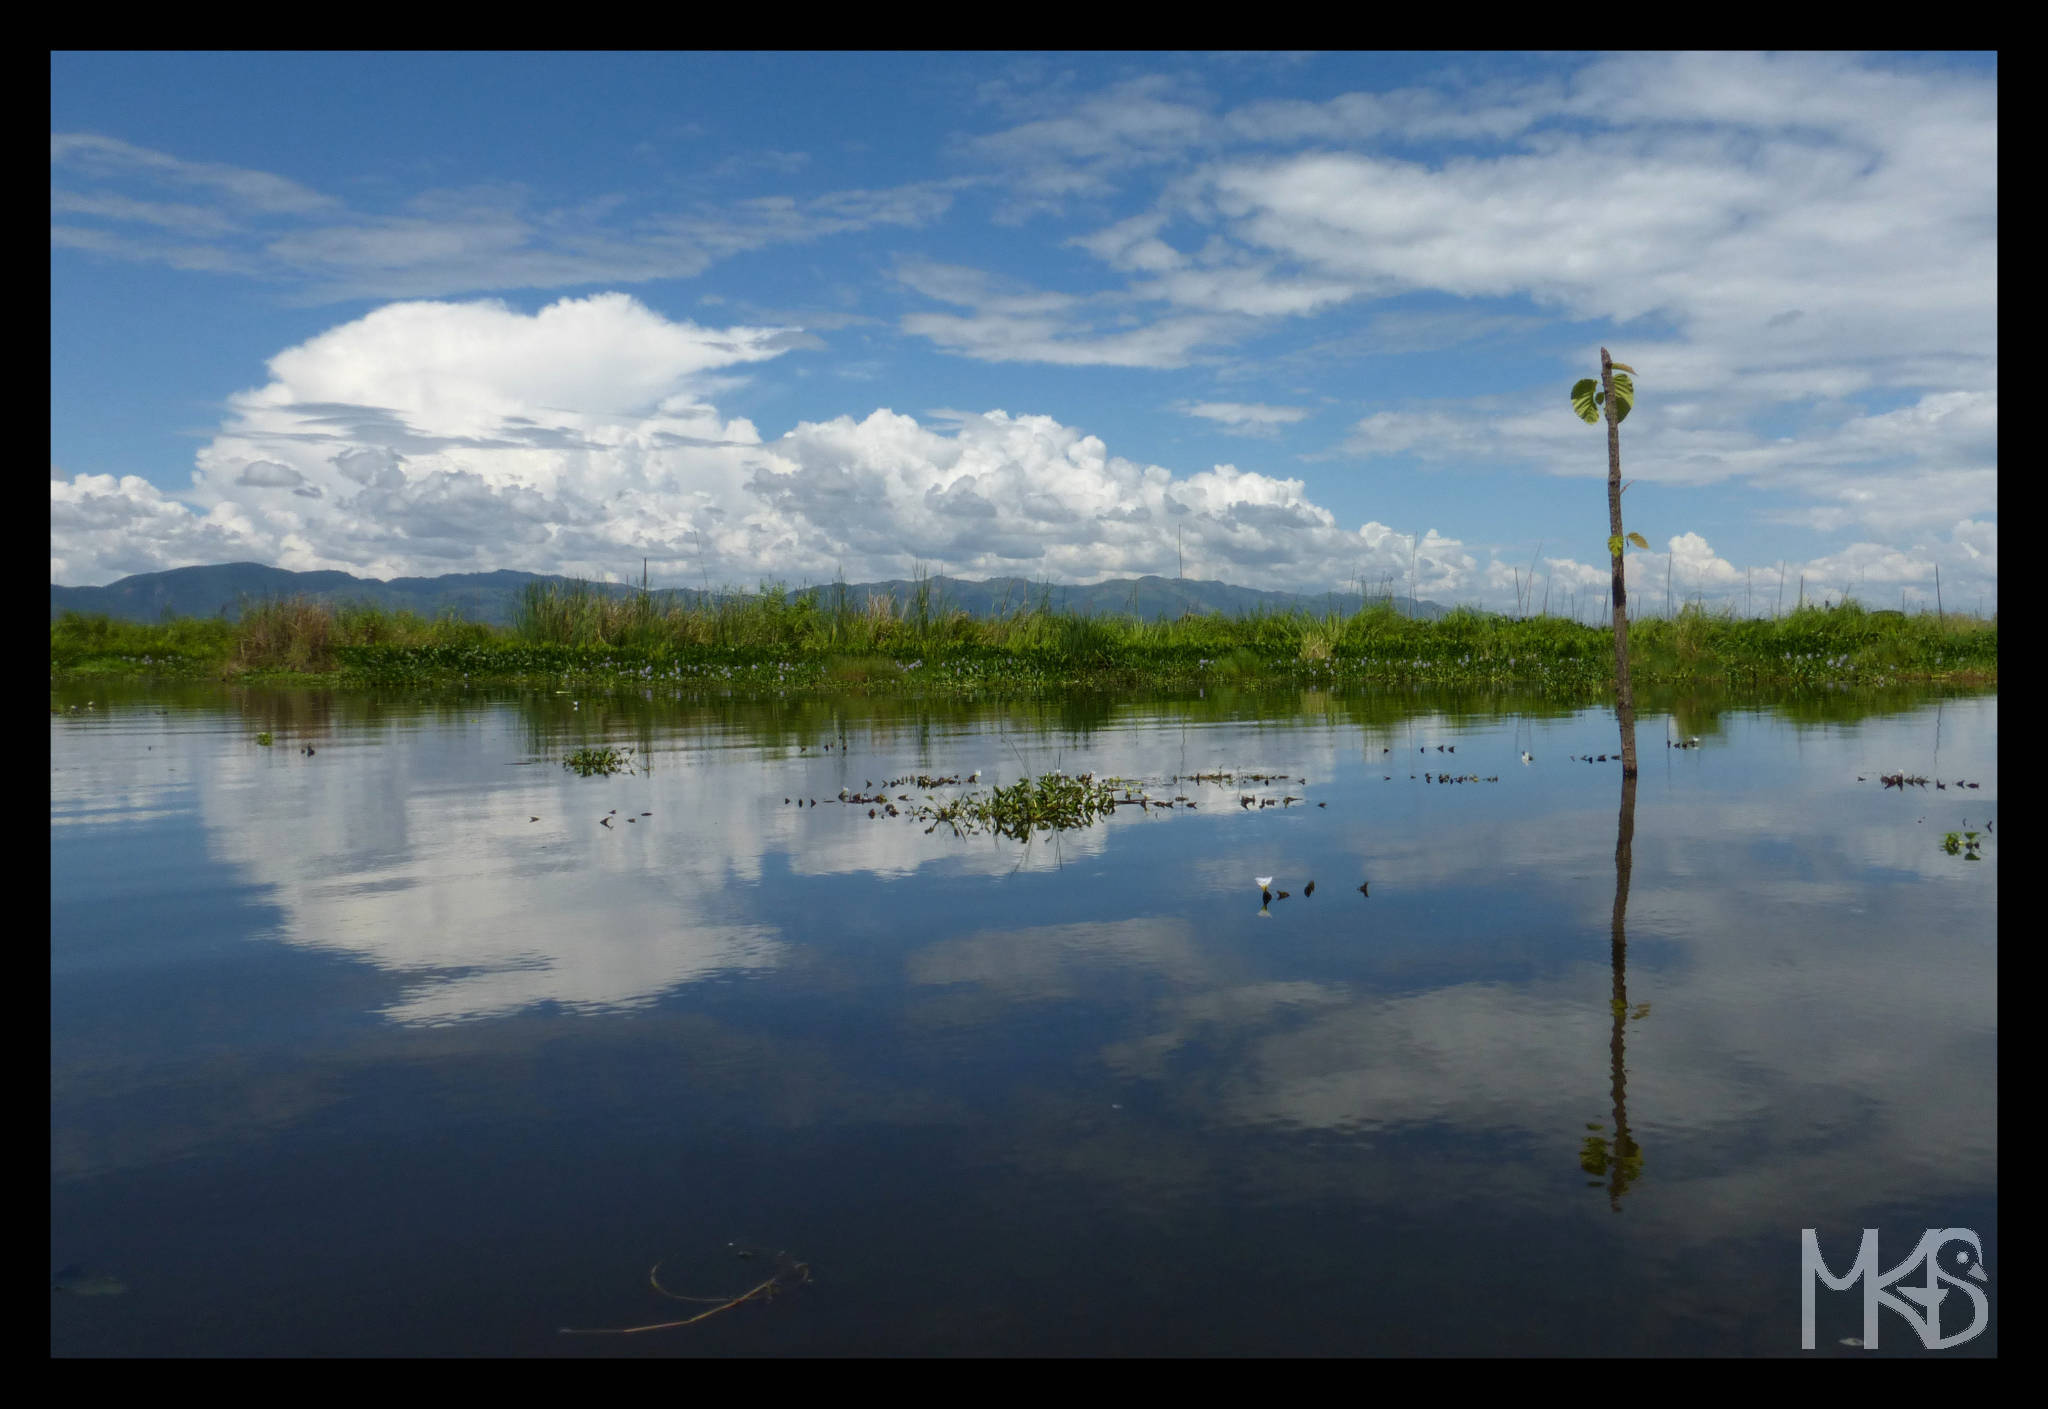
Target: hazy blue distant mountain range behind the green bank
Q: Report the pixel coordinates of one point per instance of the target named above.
(220, 591)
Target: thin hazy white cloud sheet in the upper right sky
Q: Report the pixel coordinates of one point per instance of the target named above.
(1814, 226)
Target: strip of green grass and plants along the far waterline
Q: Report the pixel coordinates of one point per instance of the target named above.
(818, 642)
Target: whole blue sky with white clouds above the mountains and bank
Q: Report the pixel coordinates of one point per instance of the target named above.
(1283, 321)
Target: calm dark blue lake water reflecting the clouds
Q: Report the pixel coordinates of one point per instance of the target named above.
(398, 1050)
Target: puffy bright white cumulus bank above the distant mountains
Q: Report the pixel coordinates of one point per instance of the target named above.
(435, 437)
